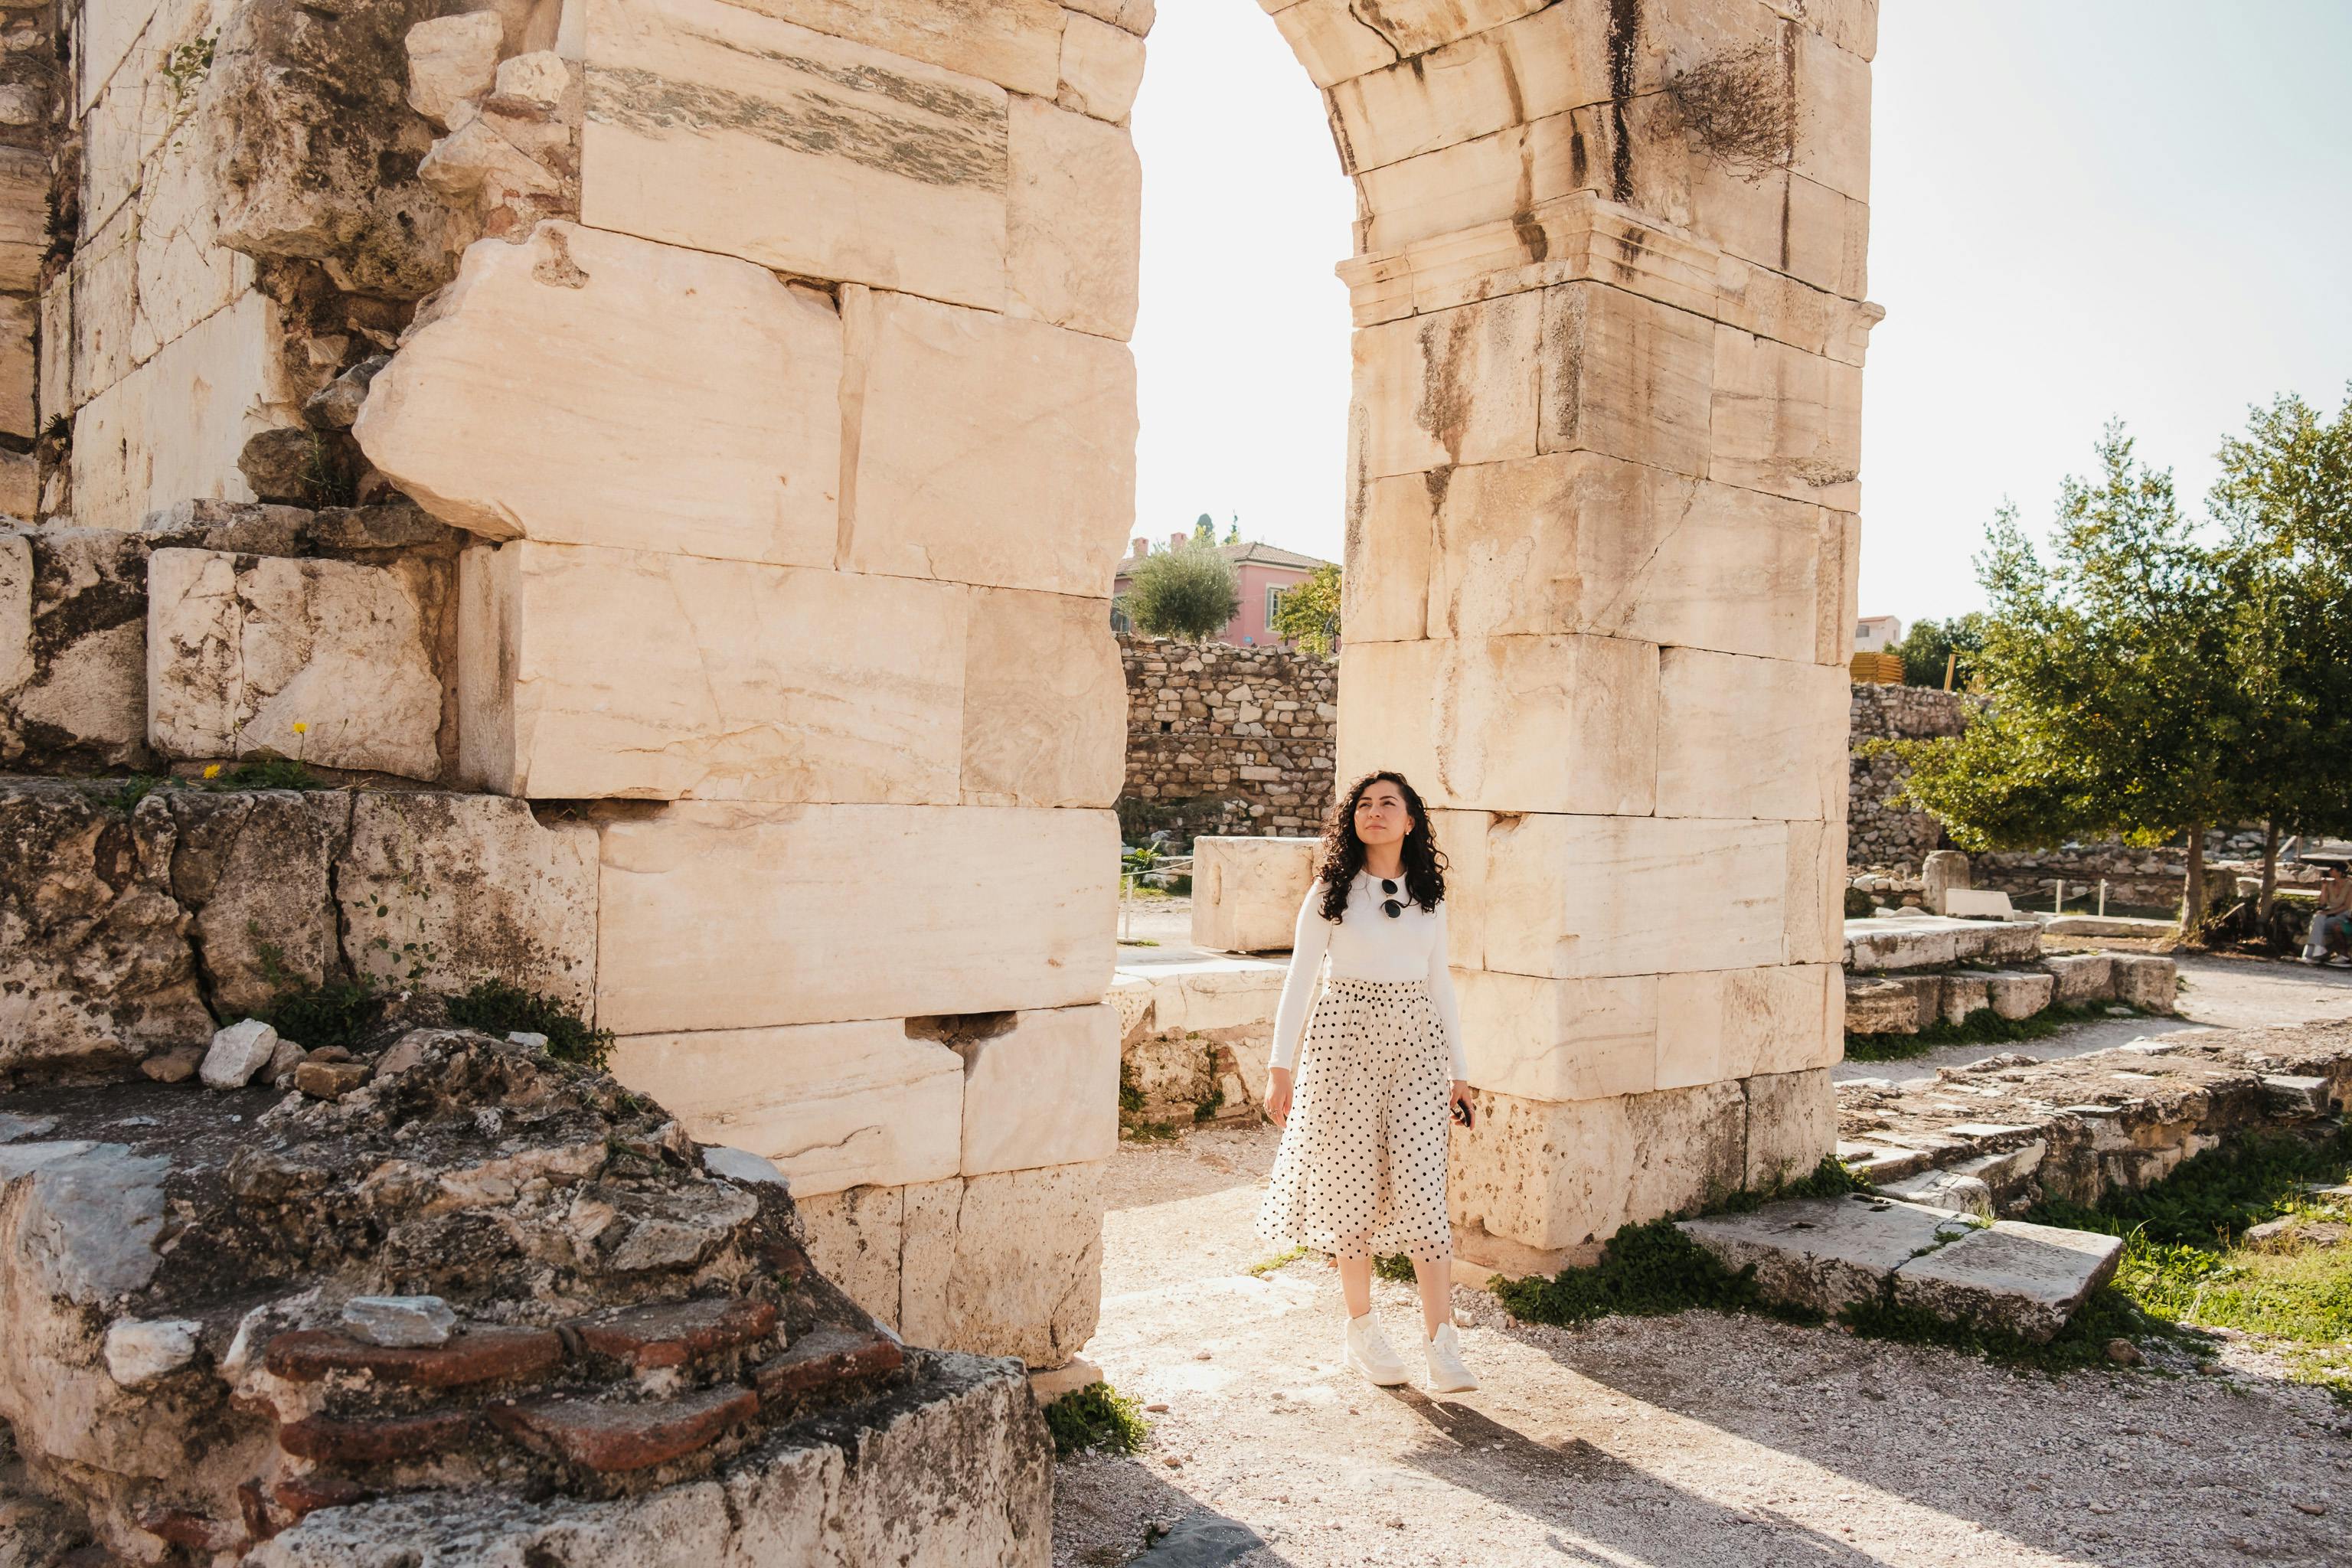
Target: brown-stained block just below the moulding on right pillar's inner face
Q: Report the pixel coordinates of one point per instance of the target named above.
(1452, 387)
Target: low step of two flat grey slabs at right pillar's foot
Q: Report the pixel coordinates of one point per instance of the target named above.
(1833, 1254)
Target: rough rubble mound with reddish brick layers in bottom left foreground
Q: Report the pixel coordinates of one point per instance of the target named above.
(613, 1327)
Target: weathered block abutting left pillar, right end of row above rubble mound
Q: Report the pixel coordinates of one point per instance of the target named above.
(450, 890)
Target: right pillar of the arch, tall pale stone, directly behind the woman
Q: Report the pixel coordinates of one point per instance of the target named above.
(1601, 565)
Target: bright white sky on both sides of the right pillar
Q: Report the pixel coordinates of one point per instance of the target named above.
(2080, 210)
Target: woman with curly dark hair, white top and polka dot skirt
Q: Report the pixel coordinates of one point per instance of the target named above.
(1363, 1165)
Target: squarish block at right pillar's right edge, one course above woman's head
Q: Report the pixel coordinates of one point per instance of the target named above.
(1751, 737)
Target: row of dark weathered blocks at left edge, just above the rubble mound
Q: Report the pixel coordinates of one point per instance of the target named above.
(131, 925)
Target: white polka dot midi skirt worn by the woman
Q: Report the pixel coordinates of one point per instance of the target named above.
(1363, 1165)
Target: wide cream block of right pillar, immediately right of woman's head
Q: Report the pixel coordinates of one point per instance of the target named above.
(1575, 897)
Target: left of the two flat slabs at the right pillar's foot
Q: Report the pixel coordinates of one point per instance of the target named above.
(1826, 1254)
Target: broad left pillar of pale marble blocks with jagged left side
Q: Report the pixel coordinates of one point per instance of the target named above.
(801, 464)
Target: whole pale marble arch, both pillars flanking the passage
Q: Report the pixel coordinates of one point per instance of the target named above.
(1601, 509)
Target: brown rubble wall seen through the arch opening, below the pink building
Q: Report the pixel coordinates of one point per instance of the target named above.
(1227, 739)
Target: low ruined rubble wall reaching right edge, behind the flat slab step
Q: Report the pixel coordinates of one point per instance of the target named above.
(2092, 1125)
